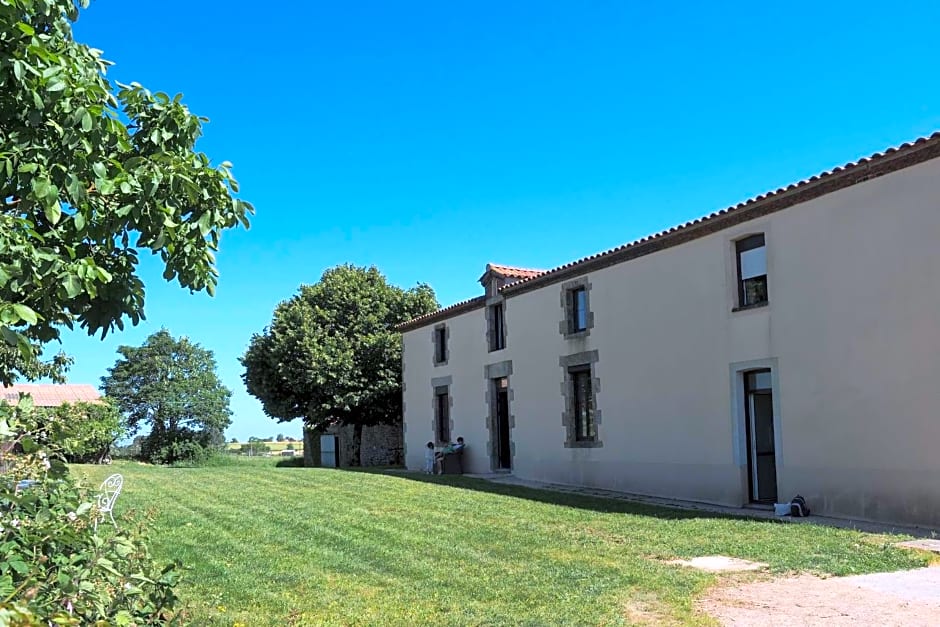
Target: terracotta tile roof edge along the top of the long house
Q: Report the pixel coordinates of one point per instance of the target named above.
(878, 164)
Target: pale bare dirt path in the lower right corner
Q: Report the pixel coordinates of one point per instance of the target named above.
(906, 598)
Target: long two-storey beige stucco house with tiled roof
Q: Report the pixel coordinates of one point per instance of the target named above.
(789, 344)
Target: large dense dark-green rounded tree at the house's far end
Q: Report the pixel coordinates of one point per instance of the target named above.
(331, 354)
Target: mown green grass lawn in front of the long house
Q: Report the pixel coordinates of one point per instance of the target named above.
(304, 546)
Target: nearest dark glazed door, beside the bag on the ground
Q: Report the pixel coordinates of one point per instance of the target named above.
(759, 422)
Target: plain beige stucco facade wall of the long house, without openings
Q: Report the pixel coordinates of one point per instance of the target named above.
(853, 330)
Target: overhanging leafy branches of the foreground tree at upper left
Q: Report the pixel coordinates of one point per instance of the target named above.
(92, 174)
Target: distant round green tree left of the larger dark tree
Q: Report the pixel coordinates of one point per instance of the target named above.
(171, 386)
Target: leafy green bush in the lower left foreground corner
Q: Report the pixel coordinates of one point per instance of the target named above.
(54, 569)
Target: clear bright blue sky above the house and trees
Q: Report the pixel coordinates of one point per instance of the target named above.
(429, 138)
